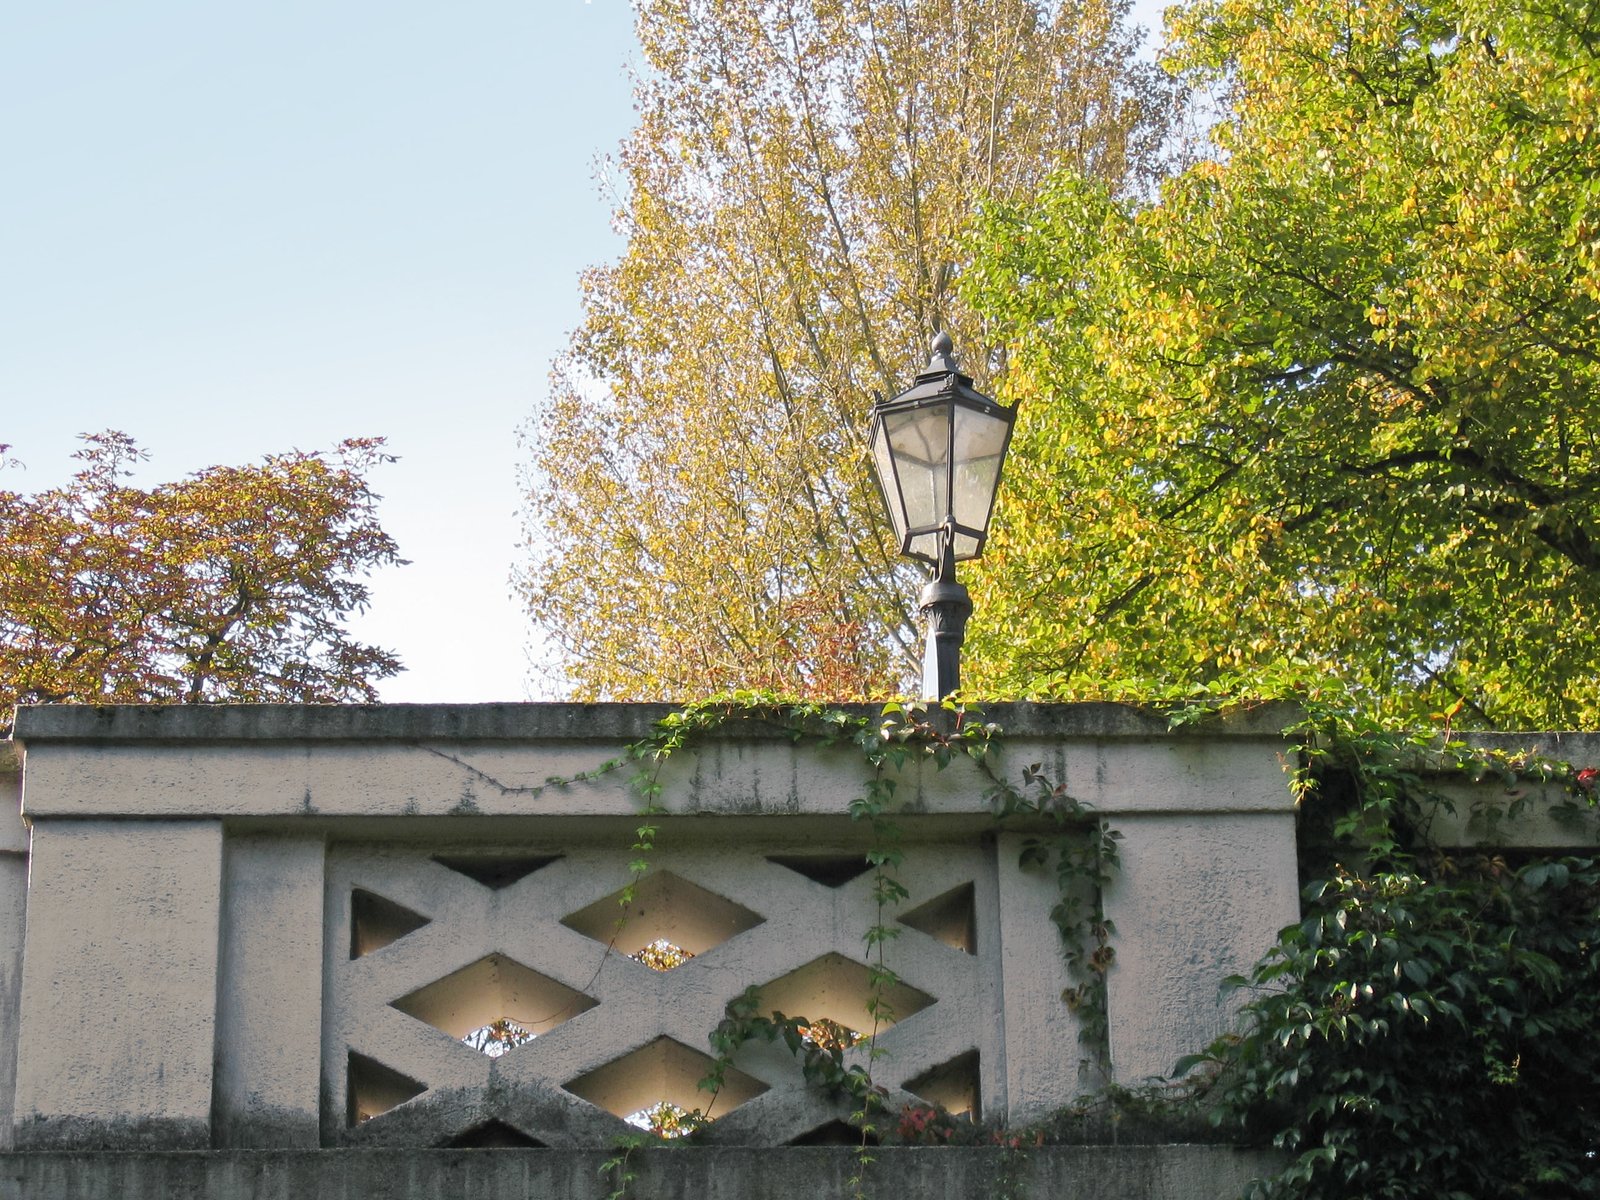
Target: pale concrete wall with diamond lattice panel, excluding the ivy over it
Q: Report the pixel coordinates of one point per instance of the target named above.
(270, 927)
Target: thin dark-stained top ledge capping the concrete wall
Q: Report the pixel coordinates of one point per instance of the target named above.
(554, 722)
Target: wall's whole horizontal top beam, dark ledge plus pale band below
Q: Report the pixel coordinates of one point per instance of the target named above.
(135, 762)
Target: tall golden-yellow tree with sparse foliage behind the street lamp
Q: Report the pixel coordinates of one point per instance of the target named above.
(700, 510)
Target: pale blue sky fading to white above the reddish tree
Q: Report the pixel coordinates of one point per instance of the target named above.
(234, 228)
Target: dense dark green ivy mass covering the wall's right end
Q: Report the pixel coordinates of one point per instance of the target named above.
(1430, 1026)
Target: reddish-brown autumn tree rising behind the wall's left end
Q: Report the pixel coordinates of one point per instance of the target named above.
(228, 586)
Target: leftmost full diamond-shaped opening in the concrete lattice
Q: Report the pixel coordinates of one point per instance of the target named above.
(490, 991)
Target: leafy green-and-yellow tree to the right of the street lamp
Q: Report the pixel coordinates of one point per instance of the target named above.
(1330, 407)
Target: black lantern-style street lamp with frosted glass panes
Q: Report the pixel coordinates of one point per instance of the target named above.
(938, 449)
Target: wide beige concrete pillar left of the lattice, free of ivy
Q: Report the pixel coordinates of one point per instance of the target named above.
(119, 985)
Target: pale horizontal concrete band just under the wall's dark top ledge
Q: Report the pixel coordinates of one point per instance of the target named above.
(321, 780)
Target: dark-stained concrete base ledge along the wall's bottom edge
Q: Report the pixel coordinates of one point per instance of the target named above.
(689, 1174)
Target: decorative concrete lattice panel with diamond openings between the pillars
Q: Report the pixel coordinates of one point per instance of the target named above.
(426, 948)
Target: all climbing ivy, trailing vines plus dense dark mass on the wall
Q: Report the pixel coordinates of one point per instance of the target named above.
(1428, 1028)
